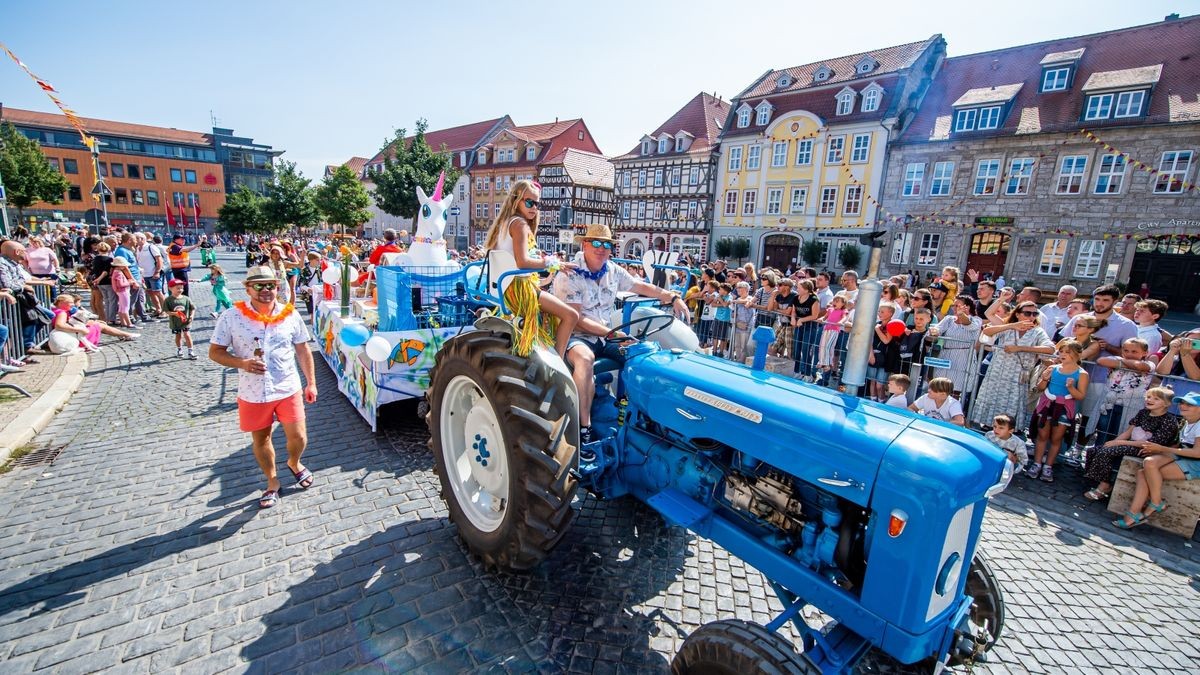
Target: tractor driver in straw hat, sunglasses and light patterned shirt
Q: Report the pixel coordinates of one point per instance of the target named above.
(592, 291)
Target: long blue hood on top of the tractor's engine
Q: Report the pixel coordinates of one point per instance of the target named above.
(836, 441)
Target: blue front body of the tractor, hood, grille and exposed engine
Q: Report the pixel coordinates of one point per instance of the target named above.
(867, 512)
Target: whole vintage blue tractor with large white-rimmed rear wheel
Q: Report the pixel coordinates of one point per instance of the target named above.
(868, 513)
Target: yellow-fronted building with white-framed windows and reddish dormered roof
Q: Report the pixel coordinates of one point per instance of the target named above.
(803, 152)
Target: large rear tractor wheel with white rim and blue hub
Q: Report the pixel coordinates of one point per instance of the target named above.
(505, 440)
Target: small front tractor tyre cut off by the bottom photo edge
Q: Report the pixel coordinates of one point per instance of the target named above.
(735, 648)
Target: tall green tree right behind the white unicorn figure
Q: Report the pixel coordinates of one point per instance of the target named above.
(409, 164)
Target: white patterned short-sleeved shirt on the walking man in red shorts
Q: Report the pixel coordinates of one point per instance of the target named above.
(279, 342)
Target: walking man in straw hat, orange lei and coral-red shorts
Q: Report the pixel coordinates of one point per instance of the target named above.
(265, 339)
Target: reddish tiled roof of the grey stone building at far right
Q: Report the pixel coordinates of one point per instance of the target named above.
(1175, 45)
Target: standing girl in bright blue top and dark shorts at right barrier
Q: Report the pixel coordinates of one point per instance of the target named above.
(1063, 387)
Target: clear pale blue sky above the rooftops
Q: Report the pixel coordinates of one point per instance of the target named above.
(327, 81)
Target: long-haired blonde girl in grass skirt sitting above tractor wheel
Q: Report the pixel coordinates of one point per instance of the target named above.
(513, 232)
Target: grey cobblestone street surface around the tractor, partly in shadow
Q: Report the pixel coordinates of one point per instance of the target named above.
(142, 549)
